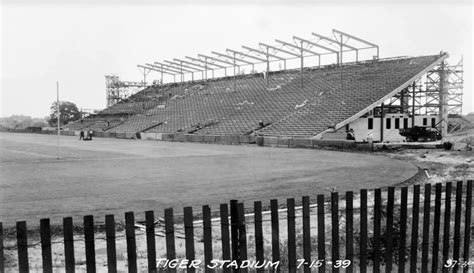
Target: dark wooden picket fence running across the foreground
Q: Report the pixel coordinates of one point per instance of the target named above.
(440, 245)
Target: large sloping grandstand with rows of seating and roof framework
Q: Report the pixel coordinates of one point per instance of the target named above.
(299, 103)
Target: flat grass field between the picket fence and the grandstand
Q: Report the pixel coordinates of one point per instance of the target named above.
(106, 176)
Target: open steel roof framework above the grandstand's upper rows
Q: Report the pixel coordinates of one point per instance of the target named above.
(300, 48)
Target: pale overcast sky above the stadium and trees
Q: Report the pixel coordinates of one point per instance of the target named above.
(78, 43)
